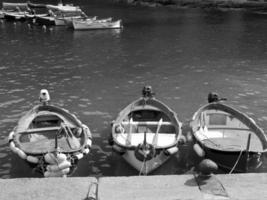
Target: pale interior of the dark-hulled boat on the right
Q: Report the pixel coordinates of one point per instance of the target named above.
(219, 129)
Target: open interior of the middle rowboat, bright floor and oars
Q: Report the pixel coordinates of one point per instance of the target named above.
(154, 123)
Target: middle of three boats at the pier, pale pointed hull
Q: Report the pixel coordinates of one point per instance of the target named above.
(146, 133)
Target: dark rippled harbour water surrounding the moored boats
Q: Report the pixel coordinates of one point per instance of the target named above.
(182, 53)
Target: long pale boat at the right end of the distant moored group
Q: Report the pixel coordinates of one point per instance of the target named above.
(93, 24)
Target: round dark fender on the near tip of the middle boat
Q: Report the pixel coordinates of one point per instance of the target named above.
(146, 151)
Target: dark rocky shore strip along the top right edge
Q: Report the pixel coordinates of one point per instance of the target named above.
(254, 5)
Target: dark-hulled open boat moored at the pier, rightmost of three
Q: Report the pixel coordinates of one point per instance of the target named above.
(228, 137)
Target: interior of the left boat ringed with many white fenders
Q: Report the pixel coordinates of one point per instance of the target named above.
(46, 131)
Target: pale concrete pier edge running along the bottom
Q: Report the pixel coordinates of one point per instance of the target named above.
(172, 187)
